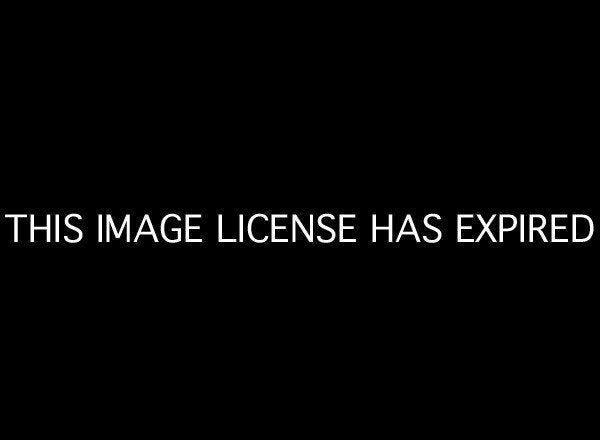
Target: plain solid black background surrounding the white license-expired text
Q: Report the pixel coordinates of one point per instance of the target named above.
(368, 113)
